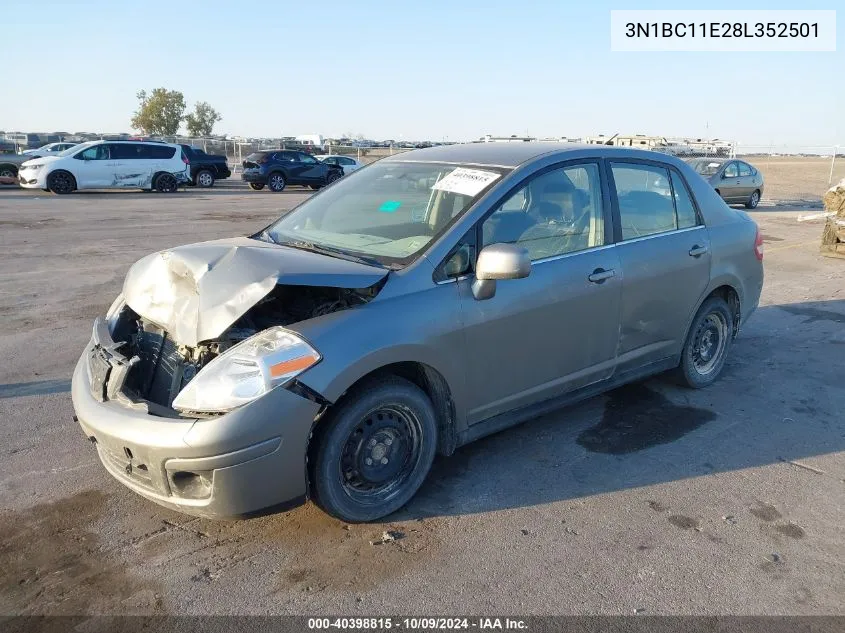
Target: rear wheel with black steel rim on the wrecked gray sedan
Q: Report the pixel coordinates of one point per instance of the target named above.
(707, 345)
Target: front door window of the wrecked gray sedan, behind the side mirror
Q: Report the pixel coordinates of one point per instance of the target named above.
(555, 213)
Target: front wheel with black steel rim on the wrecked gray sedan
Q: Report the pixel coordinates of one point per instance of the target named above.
(373, 453)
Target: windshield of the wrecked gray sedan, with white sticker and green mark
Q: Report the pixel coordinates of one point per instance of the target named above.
(386, 213)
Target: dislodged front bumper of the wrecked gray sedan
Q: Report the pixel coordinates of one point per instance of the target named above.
(248, 460)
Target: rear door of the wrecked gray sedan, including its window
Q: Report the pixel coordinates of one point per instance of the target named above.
(664, 250)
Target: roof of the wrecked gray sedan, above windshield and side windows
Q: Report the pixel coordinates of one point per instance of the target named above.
(513, 154)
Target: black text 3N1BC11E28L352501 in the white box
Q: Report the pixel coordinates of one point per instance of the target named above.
(722, 29)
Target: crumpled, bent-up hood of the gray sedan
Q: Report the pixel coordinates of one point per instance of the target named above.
(197, 291)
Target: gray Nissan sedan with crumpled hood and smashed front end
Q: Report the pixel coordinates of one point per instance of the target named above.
(422, 302)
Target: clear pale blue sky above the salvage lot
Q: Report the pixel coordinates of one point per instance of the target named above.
(424, 70)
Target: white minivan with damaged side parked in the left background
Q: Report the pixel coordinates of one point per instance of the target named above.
(108, 165)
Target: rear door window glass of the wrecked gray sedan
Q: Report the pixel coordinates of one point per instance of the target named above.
(645, 200)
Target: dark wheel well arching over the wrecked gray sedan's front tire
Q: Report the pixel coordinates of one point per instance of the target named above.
(434, 385)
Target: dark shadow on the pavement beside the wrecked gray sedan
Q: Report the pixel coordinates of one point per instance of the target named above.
(779, 399)
